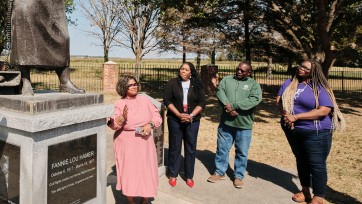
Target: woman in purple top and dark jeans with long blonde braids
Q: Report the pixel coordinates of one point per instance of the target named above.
(309, 116)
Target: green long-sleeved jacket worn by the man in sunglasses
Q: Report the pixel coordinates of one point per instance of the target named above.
(243, 95)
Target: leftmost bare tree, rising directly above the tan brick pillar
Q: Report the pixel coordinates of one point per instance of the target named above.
(103, 14)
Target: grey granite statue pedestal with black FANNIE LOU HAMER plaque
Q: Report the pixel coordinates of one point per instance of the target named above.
(53, 148)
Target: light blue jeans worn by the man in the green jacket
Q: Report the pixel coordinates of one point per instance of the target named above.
(226, 136)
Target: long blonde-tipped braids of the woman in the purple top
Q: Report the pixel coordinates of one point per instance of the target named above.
(317, 78)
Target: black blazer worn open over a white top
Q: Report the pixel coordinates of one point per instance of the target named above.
(173, 94)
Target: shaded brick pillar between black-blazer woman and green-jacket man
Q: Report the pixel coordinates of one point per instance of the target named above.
(209, 77)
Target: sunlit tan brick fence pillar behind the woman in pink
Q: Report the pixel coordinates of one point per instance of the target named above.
(110, 76)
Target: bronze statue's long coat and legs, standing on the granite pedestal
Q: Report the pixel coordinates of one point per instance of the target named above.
(40, 39)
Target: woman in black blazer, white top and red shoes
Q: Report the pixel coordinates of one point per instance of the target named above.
(184, 97)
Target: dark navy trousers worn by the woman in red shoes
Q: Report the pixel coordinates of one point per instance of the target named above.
(188, 133)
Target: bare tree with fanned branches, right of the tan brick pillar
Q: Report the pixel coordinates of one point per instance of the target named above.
(139, 20)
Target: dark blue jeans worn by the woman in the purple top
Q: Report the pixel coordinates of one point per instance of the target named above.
(311, 150)
